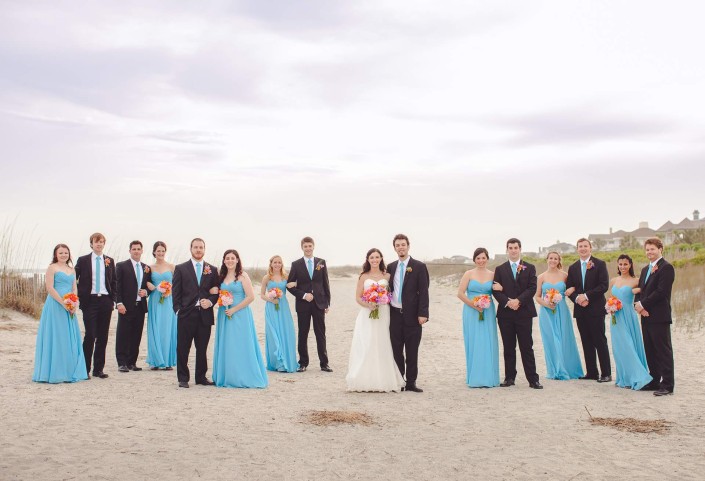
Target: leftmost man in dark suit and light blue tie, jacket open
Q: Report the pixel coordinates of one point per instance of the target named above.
(97, 287)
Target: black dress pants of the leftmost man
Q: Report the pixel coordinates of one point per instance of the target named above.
(96, 319)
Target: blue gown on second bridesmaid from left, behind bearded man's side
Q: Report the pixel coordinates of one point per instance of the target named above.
(161, 326)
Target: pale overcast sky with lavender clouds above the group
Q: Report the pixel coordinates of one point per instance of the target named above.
(254, 123)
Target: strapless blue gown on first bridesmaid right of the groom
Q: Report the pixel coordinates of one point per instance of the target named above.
(481, 345)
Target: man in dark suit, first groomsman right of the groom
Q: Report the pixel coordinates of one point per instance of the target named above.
(514, 289)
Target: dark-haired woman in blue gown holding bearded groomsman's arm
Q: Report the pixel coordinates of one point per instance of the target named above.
(237, 360)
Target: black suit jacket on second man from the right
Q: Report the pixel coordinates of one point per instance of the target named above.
(597, 280)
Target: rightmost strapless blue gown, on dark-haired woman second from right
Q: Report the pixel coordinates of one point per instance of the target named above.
(627, 343)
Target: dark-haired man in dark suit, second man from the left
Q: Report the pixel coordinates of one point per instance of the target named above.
(132, 278)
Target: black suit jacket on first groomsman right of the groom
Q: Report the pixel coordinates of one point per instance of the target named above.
(522, 288)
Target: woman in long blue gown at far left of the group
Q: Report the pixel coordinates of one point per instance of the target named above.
(59, 353)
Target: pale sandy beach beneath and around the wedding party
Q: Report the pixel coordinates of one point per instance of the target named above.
(140, 425)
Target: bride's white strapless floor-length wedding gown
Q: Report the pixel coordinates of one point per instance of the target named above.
(371, 366)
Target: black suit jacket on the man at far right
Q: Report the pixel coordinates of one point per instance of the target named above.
(655, 295)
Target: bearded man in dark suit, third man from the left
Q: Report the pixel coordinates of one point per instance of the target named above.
(194, 292)
